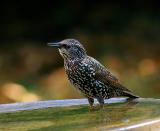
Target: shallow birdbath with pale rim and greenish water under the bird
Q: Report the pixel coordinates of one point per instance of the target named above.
(73, 114)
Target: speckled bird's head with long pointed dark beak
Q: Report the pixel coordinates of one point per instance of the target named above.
(70, 49)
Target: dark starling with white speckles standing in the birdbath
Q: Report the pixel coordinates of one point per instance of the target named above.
(88, 75)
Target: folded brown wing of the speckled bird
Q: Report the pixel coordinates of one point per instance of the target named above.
(103, 75)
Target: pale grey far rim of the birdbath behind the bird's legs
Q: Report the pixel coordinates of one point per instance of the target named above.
(6, 108)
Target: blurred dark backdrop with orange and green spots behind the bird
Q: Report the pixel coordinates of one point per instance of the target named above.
(124, 36)
